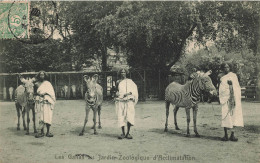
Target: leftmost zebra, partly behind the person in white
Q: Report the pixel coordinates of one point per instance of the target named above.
(24, 102)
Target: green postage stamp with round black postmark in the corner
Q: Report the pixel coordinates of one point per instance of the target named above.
(30, 22)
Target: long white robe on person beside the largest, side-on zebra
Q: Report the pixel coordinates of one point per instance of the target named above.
(235, 116)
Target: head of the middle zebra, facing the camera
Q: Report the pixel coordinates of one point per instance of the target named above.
(91, 94)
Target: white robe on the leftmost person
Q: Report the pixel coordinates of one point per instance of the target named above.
(44, 104)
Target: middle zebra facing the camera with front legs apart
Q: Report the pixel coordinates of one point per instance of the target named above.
(94, 99)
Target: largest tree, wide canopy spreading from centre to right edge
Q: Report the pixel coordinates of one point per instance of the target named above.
(155, 34)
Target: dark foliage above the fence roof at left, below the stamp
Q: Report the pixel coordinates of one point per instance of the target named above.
(17, 56)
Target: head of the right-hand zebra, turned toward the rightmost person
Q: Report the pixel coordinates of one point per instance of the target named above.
(205, 84)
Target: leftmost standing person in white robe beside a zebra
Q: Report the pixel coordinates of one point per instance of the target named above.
(44, 103)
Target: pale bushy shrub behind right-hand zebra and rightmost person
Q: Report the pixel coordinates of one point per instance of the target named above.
(243, 63)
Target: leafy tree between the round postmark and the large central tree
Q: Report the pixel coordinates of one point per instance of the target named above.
(80, 20)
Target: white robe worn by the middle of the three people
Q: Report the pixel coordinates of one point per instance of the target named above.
(125, 108)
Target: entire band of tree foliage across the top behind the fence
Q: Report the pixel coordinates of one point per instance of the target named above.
(154, 35)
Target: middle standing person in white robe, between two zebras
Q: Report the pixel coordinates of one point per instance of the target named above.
(126, 99)
